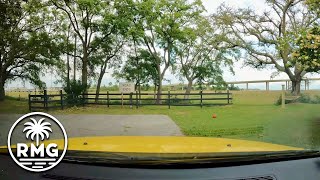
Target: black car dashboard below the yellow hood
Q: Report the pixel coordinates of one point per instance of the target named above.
(299, 169)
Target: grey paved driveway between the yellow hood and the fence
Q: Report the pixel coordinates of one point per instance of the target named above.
(104, 125)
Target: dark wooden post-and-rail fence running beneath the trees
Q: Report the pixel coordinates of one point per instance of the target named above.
(59, 101)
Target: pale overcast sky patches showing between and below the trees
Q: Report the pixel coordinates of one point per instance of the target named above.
(241, 73)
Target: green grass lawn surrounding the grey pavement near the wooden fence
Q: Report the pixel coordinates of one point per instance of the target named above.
(253, 116)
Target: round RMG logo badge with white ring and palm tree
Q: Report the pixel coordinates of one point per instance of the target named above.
(29, 137)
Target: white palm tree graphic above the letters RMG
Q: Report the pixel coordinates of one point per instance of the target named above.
(37, 129)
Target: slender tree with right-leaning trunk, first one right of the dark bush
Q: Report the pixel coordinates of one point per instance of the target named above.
(108, 47)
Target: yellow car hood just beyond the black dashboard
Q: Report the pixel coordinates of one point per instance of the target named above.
(153, 144)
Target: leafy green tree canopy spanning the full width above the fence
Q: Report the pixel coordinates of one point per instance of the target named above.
(141, 40)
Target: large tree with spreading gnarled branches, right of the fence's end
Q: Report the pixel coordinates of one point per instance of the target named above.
(267, 37)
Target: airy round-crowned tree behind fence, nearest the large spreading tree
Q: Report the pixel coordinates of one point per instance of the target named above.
(202, 54)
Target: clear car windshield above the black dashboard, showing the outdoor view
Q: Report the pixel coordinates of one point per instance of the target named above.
(155, 77)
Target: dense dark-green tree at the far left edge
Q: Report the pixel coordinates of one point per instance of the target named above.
(26, 44)
